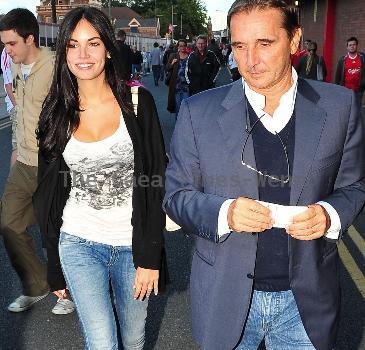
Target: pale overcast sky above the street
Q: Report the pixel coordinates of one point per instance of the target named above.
(217, 10)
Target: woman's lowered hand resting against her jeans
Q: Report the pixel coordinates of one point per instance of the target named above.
(145, 282)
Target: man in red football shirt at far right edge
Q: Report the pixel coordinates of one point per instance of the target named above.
(351, 69)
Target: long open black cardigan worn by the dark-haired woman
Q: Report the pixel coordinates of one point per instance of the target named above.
(148, 218)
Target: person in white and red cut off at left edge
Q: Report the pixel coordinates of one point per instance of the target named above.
(9, 99)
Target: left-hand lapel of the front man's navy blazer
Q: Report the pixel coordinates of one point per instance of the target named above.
(232, 123)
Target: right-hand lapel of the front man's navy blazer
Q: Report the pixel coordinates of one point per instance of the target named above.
(309, 125)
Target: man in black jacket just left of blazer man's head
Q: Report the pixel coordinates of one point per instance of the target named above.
(202, 68)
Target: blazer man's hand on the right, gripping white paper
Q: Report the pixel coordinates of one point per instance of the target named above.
(311, 224)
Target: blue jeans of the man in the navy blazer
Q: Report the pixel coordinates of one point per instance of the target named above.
(275, 317)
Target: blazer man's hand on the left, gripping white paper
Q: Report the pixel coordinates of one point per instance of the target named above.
(246, 215)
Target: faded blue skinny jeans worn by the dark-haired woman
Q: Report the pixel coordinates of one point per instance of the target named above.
(88, 268)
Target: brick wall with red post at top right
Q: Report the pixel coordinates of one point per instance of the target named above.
(330, 23)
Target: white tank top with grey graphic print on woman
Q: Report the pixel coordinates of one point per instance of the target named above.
(99, 207)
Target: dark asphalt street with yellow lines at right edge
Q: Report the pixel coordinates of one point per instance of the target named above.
(168, 325)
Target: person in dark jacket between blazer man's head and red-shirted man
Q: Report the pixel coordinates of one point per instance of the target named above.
(312, 66)
